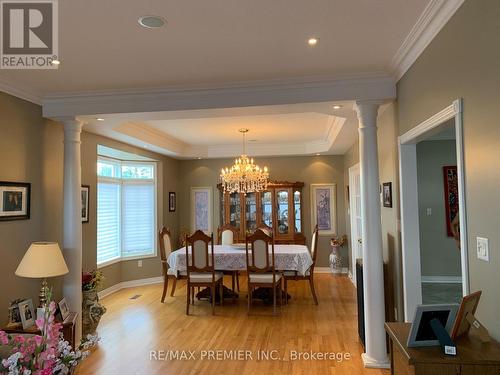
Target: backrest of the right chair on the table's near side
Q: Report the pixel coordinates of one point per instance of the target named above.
(260, 252)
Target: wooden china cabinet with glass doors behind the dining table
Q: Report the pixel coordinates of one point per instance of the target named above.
(279, 207)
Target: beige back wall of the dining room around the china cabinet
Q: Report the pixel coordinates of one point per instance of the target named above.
(308, 169)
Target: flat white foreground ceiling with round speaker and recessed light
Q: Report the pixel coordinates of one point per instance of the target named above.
(216, 42)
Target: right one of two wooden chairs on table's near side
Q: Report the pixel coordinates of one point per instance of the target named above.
(261, 266)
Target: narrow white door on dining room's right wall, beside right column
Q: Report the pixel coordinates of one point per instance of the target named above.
(355, 218)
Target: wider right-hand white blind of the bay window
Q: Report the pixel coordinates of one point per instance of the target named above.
(138, 218)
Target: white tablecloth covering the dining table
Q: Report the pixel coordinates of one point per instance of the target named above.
(229, 258)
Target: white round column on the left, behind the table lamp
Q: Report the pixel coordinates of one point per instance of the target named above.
(72, 219)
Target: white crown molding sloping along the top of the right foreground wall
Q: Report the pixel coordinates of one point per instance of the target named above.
(435, 15)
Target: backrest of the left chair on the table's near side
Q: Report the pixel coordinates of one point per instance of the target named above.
(200, 260)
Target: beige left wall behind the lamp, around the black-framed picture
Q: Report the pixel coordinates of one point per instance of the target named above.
(21, 156)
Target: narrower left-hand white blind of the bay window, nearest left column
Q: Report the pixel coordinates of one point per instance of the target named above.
(108, 221)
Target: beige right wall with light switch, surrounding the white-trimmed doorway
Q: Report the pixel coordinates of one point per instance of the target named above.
(462, 62)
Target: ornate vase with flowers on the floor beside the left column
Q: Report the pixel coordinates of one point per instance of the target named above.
(92, 310)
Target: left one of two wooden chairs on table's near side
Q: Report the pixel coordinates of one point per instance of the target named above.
(200, 267)
